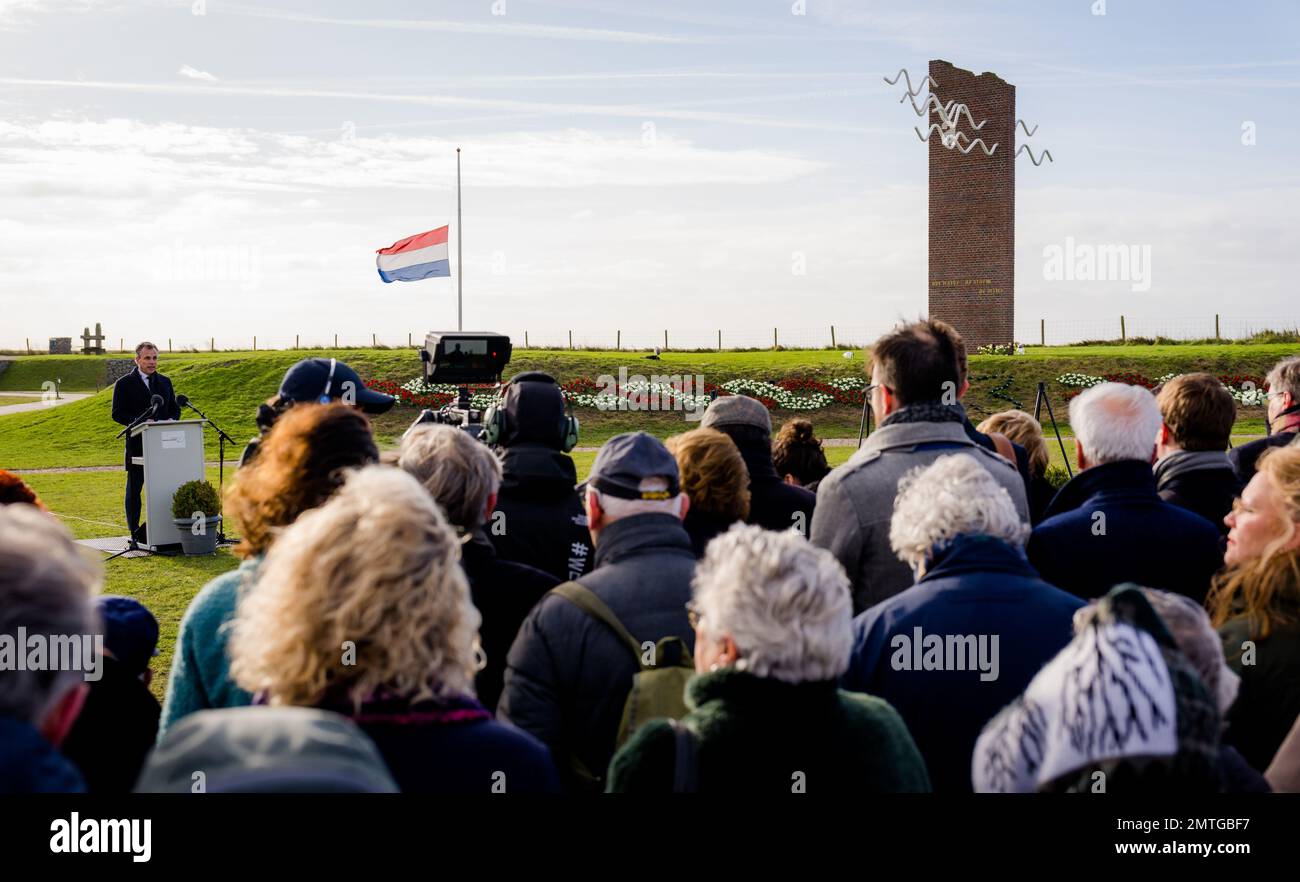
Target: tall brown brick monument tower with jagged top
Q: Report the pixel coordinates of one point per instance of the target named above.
(973, 209)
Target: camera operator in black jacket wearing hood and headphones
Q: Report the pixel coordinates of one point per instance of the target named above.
(540, 520)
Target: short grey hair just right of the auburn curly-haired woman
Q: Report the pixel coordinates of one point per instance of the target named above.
(458, 472)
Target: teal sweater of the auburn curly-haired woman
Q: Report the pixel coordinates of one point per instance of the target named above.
(201, 667)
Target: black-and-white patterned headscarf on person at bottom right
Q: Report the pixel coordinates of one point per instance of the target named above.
(1120, 701)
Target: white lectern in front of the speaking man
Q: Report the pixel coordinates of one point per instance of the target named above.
(174, 455)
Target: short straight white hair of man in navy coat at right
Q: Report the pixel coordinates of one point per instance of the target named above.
(1115, 422)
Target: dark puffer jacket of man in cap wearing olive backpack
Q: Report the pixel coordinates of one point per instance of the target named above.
(569, 676)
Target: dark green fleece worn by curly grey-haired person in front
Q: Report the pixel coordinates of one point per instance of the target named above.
(760, 736)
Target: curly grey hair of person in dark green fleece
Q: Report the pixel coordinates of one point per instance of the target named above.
(785, 602)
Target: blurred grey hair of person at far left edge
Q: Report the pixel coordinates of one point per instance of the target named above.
(47, 589)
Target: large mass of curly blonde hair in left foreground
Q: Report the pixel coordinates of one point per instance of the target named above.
(376, 568)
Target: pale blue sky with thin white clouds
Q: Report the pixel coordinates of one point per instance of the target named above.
(209, 170)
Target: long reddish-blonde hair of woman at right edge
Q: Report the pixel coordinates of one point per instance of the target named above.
(1267, 591)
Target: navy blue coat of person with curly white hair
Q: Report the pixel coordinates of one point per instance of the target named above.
(978, 586)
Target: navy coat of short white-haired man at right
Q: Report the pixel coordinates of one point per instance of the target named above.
(1142, 539)
